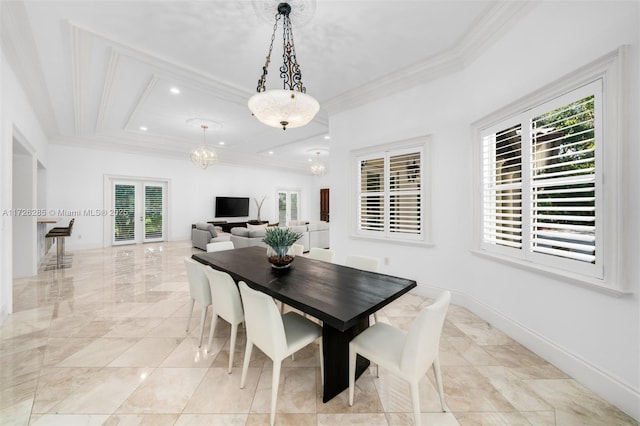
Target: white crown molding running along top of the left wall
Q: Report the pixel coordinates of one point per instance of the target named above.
(19, 48)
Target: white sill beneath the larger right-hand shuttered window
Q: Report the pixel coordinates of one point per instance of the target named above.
(569, 277)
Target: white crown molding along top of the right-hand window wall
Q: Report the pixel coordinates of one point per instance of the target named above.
(485, 31)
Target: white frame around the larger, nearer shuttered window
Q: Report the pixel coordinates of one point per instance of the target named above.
(605, 274)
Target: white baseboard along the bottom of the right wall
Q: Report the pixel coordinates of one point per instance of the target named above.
(598, 381)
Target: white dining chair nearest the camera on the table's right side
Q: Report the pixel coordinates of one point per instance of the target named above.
(406, 354)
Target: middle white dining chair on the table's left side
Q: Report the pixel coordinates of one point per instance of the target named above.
(226, 305)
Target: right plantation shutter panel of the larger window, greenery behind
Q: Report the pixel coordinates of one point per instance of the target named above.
(563, 168)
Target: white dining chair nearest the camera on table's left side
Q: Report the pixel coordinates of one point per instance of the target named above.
(278, 336)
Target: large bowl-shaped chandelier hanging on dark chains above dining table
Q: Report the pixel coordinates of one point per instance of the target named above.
(289, 107)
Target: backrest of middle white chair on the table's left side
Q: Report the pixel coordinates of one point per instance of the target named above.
(225, 294)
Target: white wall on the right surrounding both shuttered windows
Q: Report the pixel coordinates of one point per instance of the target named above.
(592, 335)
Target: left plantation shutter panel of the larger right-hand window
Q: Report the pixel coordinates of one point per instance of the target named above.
(502, 187)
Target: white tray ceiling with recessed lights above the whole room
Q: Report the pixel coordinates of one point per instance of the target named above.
(99, 70)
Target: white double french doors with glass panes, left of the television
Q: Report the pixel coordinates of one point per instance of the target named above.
(139, 211)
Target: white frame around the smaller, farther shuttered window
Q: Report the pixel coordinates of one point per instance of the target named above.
(420, 144)
